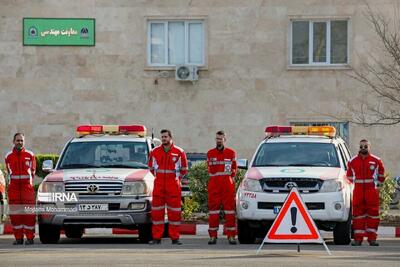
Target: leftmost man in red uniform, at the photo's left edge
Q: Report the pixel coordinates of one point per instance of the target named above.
(21, 166)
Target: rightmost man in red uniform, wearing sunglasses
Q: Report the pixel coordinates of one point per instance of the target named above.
(366, 171)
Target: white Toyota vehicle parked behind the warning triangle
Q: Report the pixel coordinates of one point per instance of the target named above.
(314, 160)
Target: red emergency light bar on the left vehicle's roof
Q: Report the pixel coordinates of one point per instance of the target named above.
(134, 129)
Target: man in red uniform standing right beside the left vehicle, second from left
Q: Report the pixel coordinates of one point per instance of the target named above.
(168, 164)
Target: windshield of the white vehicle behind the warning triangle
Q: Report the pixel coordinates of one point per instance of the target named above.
(297, 154)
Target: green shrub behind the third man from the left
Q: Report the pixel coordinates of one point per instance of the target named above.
(198, 180)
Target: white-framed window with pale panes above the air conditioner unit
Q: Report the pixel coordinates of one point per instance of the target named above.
(175, 42)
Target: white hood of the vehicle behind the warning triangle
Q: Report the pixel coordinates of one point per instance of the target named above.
(324, 173)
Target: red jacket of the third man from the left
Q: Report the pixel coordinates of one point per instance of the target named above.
(222, 162)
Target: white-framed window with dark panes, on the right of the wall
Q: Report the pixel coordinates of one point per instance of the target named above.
(319, 42)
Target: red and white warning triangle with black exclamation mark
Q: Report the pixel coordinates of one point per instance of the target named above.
(293, 223)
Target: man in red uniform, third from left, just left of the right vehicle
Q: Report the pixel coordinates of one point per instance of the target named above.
(222, 169)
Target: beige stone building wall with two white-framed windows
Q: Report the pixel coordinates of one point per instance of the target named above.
(260, 62)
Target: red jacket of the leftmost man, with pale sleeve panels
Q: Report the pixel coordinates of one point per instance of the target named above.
(21, 165)
